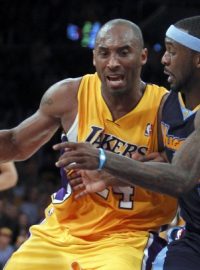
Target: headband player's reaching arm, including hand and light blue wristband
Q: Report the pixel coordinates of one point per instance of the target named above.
(172, 179)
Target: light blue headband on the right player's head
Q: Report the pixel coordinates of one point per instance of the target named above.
(183, 38)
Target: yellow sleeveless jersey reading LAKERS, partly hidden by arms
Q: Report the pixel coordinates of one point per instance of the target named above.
(116, 209)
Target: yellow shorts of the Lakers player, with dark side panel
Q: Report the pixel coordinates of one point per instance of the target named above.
(51, 247)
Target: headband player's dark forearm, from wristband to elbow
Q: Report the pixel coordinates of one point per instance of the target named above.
(158, 177)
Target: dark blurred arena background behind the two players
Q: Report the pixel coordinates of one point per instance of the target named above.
(42, 42)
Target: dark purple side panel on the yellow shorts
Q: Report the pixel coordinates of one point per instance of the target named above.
(157, 245)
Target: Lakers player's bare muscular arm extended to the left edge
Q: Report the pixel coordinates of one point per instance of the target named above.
(57, 106)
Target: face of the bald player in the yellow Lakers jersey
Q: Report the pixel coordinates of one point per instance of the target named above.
(118, 59)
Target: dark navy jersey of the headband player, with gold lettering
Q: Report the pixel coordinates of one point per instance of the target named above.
(177, 125)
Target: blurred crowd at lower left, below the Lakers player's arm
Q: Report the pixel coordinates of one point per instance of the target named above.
(23, 205)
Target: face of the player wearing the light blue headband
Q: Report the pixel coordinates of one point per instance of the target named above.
(178, 65)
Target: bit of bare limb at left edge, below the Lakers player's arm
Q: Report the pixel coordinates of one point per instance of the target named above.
(8, 175)
